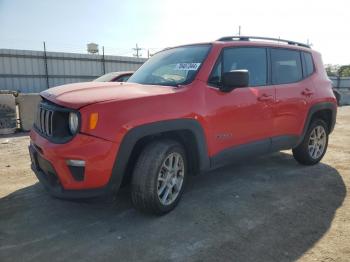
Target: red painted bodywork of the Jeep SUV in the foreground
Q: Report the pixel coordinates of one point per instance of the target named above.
(241, 116)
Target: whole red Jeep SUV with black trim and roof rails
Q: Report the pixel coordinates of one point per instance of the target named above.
(187, 110)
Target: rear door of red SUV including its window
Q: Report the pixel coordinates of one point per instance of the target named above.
(293, 94)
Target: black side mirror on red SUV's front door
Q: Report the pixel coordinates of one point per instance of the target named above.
(234, 79)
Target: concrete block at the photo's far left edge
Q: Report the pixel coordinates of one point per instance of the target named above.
(7, 114)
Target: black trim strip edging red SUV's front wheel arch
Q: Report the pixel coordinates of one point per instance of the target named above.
(139, 132)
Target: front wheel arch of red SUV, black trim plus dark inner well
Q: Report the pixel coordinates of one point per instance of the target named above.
(188, 132)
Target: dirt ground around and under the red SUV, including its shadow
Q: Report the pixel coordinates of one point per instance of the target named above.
(267, 209)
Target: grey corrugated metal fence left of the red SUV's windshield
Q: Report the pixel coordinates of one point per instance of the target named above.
(24, 70)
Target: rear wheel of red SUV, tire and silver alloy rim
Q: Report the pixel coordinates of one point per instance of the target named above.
(304, 153)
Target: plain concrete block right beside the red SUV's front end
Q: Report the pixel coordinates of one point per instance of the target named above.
(27, 105)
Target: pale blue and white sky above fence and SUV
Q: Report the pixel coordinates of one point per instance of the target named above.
(68, 25)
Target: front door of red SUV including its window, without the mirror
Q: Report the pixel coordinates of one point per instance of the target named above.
(243, 116)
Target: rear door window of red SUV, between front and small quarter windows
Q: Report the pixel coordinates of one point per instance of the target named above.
(286, 66)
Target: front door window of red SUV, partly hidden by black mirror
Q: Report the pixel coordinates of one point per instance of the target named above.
(249, 58)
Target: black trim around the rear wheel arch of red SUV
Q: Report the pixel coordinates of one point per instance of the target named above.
(314, 109)
